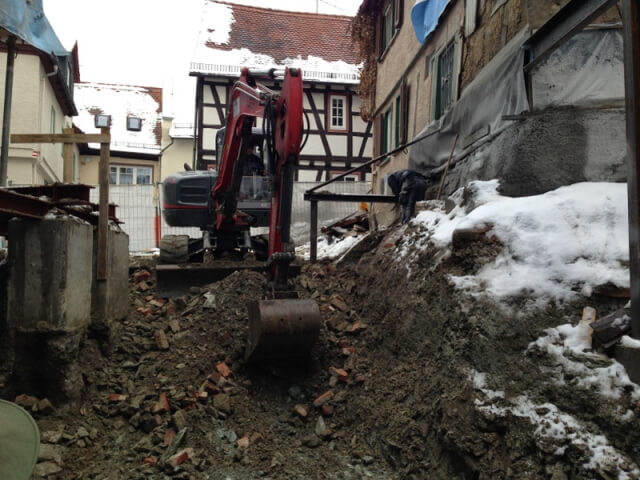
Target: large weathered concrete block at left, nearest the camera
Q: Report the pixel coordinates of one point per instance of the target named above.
(50, 276)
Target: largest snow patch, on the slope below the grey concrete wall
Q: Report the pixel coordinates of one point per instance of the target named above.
(556, 245)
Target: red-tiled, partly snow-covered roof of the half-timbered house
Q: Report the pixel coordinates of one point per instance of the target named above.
(234, 36)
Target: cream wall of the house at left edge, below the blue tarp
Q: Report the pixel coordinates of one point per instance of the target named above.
(32, 102)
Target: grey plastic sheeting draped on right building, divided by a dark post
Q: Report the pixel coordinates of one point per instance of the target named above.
(587, 70)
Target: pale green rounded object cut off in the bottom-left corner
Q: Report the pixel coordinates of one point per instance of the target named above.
(19, 442)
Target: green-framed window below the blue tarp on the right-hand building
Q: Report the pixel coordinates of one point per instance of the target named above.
(445, 67)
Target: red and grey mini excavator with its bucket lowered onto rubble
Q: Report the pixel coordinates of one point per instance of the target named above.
(281, 326)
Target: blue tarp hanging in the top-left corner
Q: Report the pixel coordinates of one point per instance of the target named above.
(27, 21)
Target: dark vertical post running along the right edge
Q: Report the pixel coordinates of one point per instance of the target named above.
(631, 21)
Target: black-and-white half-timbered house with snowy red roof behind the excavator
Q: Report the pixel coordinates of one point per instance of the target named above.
(233, 36)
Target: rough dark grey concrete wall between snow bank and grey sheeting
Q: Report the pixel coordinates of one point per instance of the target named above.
(548, 150)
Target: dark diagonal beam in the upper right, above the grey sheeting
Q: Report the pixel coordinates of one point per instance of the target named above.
(571, 18)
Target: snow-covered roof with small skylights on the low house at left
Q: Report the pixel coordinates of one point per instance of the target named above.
(121, 102)
